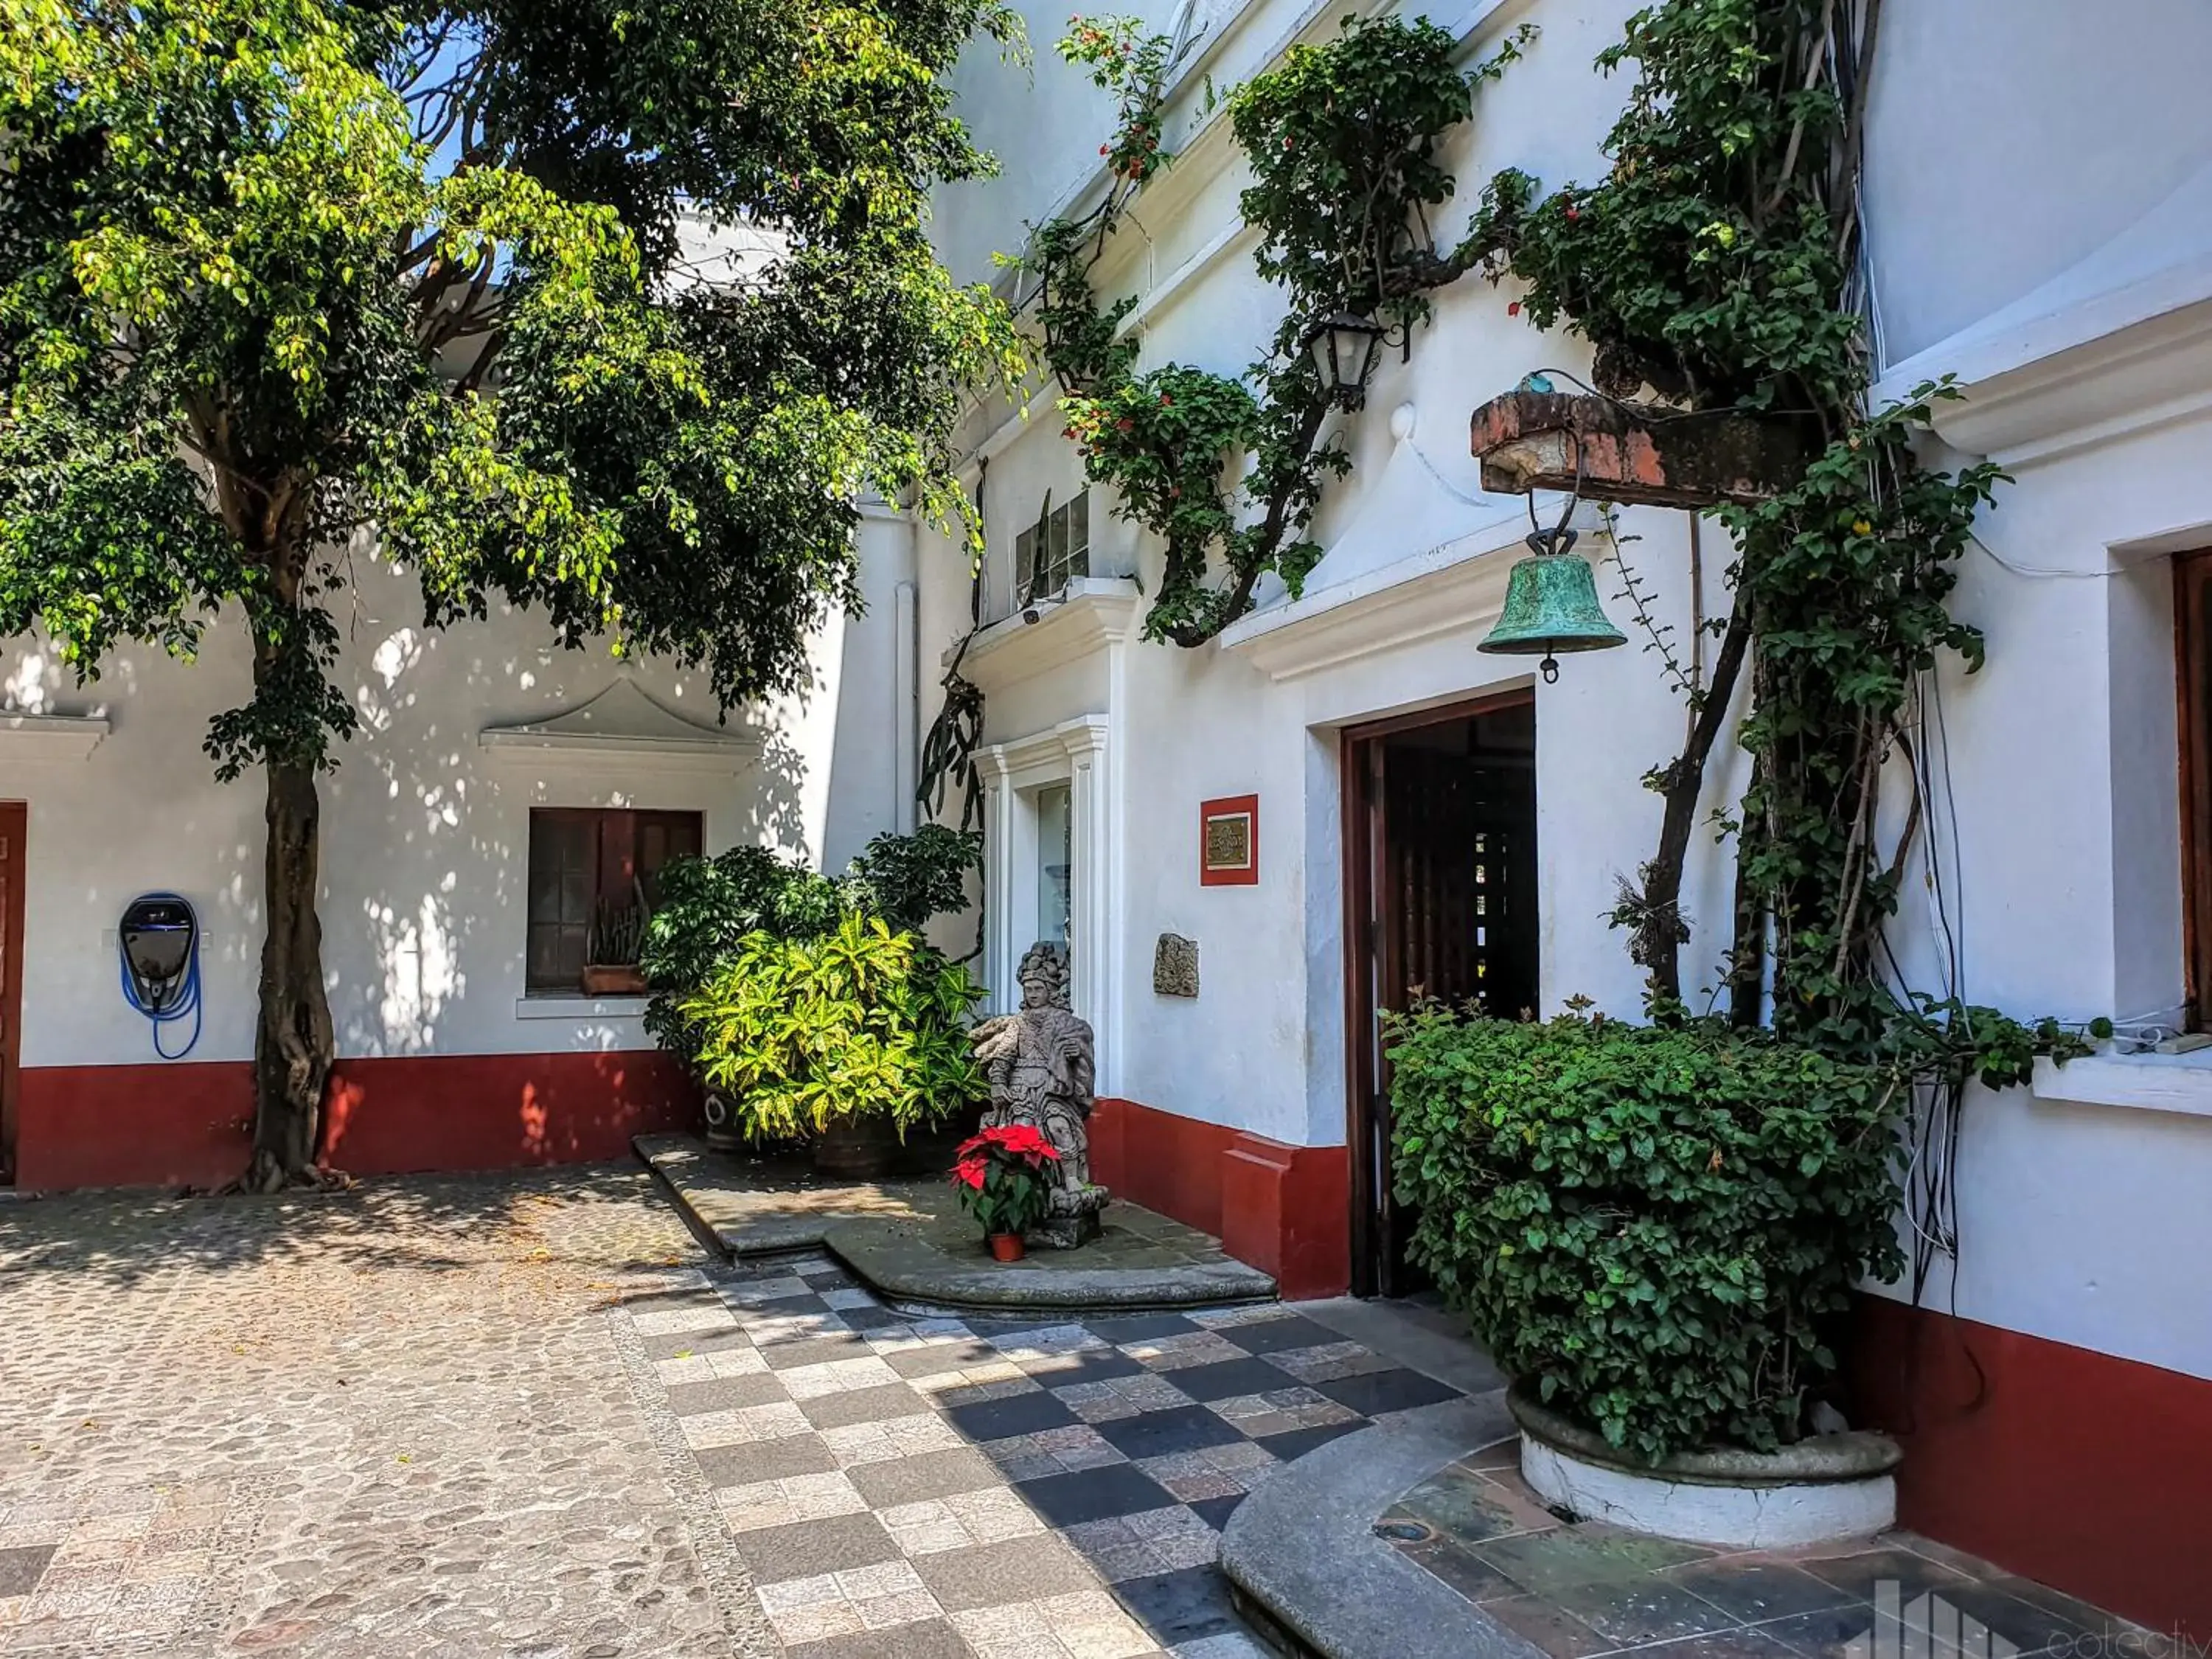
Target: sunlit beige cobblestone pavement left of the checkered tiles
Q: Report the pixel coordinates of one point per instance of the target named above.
(395, 1421)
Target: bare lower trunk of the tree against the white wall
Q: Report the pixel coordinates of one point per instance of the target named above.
(293, 1045)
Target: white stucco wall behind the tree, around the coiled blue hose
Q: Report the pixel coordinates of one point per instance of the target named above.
(426, 833)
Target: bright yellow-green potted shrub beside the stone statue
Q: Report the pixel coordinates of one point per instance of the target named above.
(806, 1032)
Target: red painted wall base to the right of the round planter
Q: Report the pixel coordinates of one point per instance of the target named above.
(2072, 1468)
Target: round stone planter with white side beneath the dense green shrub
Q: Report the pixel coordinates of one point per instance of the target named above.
(1835, 1485)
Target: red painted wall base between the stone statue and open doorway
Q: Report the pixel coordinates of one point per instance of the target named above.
(1282, 1209)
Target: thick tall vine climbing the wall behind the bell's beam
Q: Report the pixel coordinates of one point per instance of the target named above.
(1715, 267)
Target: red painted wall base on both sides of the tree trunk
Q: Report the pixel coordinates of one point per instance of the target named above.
(187, 1125)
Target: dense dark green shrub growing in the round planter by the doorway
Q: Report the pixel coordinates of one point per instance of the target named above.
(1651, 1229)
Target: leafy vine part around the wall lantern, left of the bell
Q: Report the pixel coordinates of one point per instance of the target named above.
(1229, 470)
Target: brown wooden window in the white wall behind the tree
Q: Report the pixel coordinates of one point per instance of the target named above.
(587, 868)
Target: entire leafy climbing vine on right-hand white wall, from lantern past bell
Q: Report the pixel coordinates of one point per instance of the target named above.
(1713, 269)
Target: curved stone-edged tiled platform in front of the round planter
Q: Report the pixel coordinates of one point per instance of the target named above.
(1421, 1541)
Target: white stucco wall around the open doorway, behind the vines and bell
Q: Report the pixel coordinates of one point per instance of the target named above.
(2016, 163)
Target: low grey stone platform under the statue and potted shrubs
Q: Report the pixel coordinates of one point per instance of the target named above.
(910, 1240)
